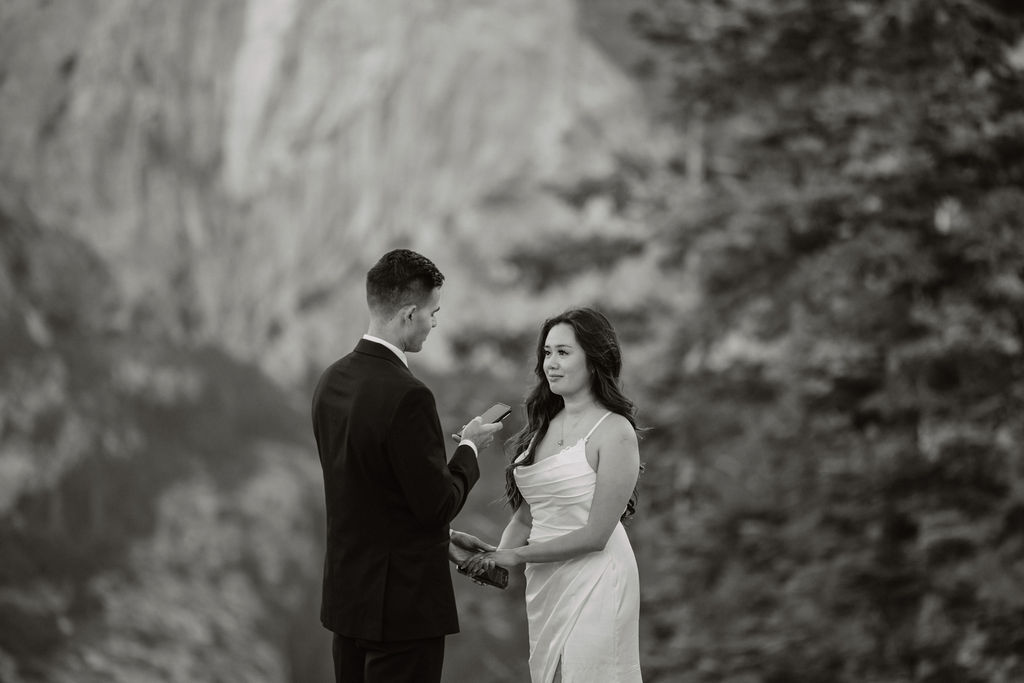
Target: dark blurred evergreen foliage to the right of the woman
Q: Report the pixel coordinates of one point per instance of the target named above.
(840, 437)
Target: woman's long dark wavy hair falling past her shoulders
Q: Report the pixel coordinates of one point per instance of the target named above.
(598, 339)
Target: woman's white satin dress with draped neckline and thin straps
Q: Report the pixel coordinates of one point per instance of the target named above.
(585, 612)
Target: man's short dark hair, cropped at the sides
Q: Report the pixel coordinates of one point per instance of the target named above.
(402, 277)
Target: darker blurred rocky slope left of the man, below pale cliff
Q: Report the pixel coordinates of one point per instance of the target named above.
(158, 502)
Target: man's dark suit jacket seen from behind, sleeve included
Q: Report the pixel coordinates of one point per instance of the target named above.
(391, 497)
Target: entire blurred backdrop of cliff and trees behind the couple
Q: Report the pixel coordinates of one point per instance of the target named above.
(804, 219)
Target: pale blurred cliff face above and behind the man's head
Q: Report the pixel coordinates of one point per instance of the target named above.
(240, 165)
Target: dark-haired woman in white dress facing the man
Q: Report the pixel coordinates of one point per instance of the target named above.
(574, 473)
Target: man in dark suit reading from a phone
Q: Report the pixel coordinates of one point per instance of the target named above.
(391, 492)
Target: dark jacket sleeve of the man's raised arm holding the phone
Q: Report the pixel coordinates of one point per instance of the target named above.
(436, 490)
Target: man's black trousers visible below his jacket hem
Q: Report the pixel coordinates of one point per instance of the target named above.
(358, 661)
